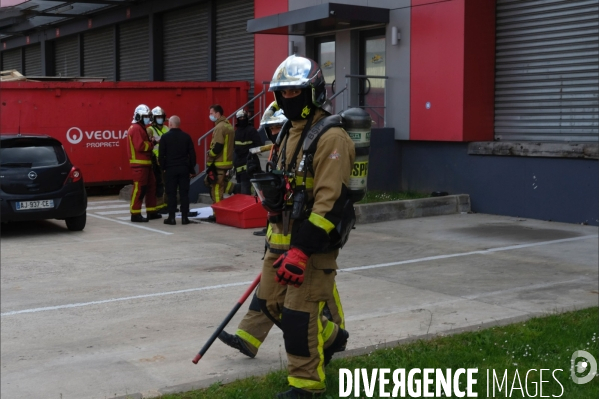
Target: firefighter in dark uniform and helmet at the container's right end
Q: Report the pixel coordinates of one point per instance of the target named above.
(246, 137)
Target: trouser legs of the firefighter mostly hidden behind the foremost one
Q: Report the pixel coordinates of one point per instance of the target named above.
(255, 325)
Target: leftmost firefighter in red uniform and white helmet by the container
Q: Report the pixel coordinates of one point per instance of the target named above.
(139, 149)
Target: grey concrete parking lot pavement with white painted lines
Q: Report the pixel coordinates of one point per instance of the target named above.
(120, 309)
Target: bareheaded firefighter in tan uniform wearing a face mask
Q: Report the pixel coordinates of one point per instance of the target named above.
(220, 155)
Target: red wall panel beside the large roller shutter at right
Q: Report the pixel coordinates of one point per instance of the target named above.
(452, 68)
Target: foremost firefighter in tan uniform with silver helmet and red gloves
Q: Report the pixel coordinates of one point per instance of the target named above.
(307, 196)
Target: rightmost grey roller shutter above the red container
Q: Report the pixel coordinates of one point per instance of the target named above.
(234, 45)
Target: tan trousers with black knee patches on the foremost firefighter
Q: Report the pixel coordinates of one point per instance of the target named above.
(306, 329)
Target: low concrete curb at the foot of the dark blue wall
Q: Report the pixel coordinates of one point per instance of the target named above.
(407, 209)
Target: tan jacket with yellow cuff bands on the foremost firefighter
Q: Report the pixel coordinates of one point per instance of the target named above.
(327, 189)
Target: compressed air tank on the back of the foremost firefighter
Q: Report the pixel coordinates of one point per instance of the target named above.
(358, 124)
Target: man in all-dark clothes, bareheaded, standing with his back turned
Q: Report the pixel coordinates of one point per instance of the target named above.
(177, 158)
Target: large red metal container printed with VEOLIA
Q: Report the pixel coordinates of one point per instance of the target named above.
(91, 119)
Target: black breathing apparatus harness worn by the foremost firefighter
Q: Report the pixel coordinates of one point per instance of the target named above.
(282, 191)
